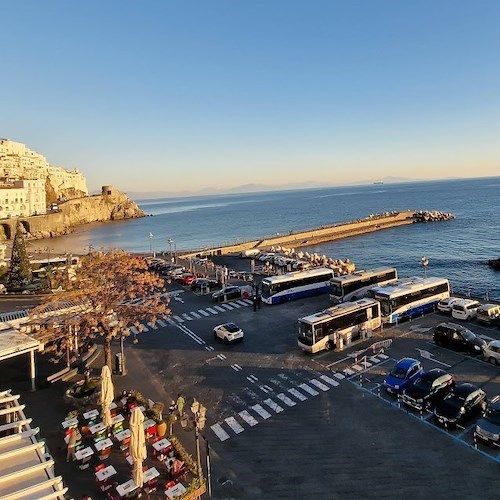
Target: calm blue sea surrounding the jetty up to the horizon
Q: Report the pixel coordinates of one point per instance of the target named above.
(457, 249)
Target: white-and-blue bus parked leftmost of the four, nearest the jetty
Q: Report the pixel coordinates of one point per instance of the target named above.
(294, 285)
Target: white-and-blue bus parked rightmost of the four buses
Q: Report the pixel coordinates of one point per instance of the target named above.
(408, 298)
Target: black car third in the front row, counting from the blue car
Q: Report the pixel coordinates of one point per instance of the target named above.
(464, 401)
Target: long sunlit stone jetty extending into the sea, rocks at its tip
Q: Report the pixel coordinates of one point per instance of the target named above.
(323, 234)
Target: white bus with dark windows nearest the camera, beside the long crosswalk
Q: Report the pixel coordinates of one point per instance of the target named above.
(338, 325)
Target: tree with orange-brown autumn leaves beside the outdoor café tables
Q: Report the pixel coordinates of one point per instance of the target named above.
(105, 296)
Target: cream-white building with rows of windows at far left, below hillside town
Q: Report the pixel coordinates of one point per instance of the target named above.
(23, 198)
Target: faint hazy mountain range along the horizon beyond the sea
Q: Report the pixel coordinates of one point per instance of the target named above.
(255, 188)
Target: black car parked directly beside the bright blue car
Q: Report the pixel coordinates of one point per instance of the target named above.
(429, 388)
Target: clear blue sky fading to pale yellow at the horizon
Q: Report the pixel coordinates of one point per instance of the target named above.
(183, 95)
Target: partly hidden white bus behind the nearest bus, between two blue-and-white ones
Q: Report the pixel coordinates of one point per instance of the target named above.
(356, 285)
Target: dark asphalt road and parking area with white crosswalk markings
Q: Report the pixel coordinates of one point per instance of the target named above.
(283, 424)
